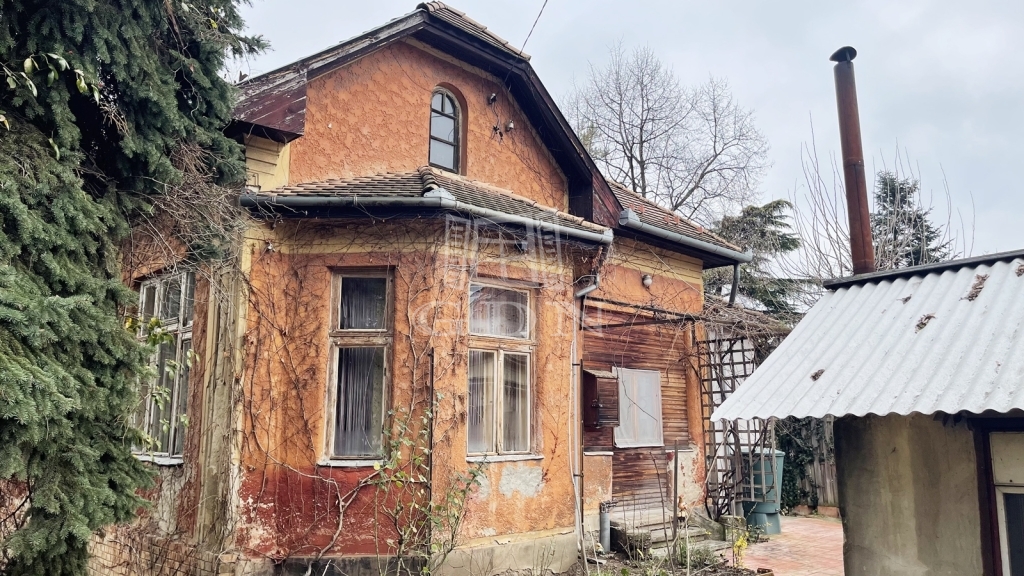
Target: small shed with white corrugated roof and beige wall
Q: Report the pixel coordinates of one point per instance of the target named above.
(924, 371)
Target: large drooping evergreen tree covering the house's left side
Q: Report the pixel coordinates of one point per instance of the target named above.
(100, 95)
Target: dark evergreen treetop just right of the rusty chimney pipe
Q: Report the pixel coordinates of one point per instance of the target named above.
(905, 234)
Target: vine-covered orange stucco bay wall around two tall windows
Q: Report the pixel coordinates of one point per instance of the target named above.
(288, 501)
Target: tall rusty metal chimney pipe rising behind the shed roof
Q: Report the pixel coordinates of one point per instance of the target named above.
(854, 162)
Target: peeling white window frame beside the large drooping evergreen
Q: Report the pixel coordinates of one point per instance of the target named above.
(181, 327)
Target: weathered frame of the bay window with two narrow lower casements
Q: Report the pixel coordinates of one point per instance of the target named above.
(500, 346)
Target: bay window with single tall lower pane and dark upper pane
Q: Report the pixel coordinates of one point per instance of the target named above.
(361, 344)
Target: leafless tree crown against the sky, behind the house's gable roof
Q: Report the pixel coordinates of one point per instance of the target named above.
(695, 151)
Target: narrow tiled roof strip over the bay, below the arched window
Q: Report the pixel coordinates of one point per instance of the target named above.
(415, 184)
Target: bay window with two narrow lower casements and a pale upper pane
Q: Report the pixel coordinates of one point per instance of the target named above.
(499, 372)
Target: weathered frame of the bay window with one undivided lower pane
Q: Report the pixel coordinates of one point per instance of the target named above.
(346, 339)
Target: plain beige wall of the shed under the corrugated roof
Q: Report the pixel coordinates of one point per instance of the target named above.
(909, 498)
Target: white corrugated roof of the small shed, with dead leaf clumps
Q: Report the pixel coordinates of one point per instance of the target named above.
(940, 341)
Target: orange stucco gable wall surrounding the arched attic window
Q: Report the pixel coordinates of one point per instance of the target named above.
(373, 116)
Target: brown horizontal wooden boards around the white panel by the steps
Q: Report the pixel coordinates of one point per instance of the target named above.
(639, 474)
